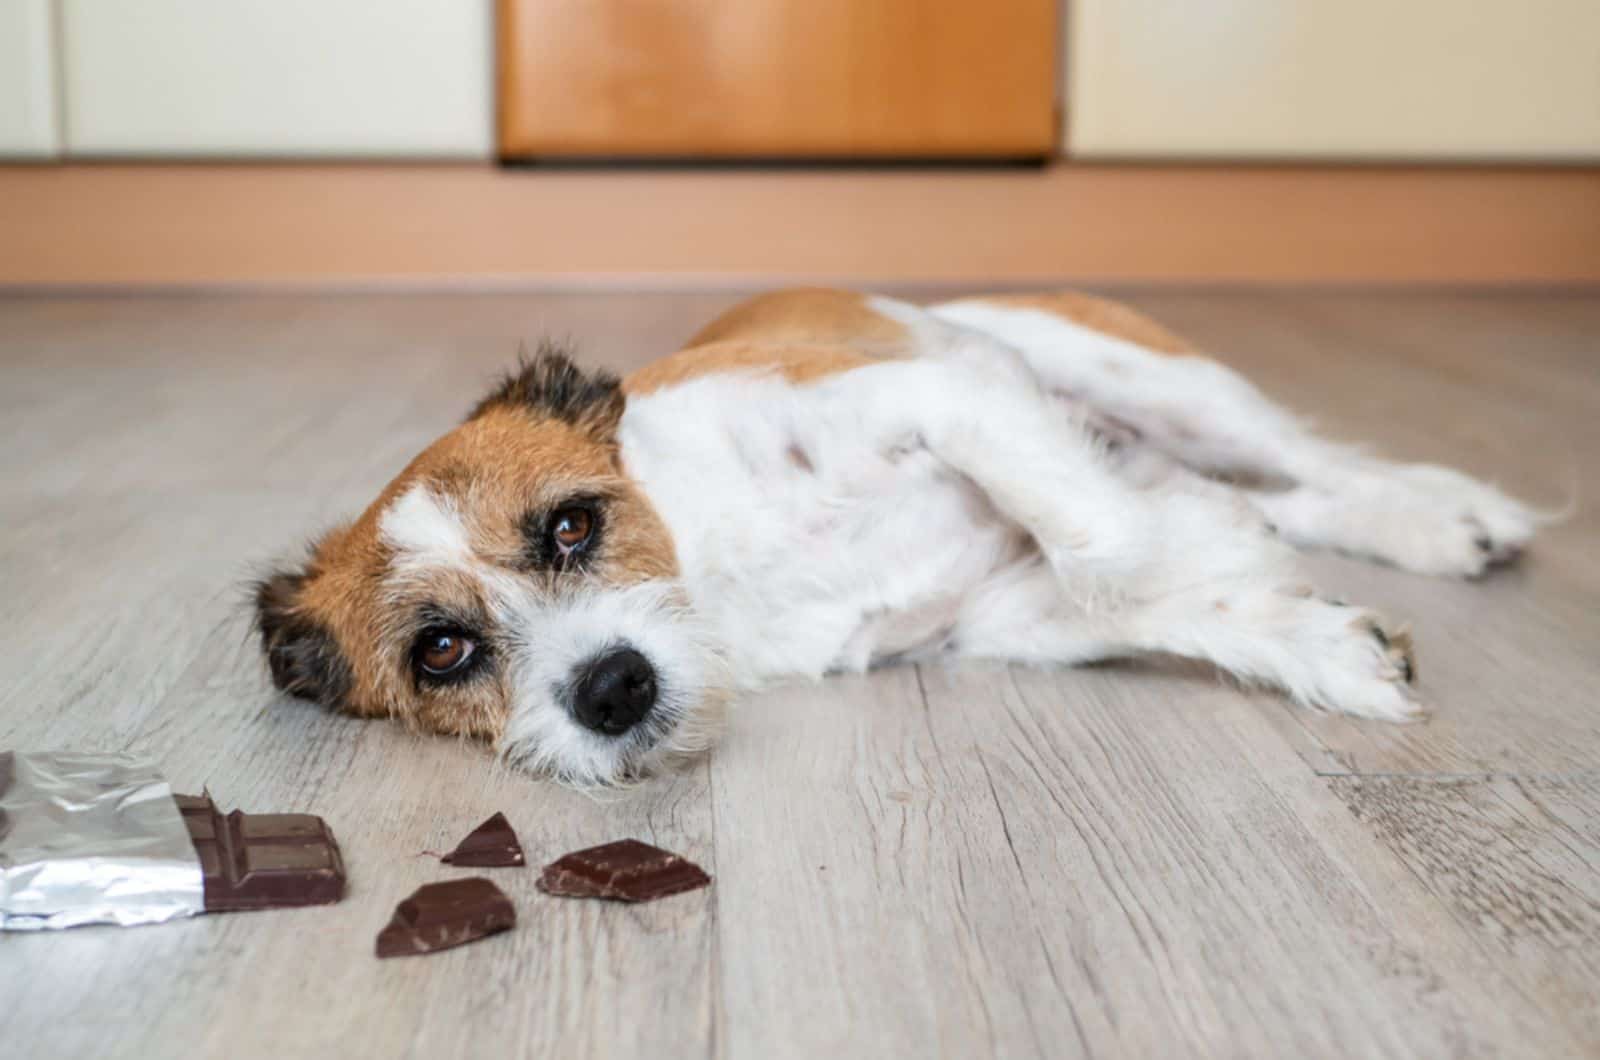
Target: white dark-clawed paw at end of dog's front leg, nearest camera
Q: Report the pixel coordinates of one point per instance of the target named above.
(1354, 664)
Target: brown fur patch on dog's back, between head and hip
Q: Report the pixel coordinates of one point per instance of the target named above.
(809, 316)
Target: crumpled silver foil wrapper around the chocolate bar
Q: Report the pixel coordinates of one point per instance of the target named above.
(92, 840)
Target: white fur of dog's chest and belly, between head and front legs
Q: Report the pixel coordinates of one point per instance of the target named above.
(791, 558)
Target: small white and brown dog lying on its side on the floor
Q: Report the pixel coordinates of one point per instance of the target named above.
(586, 571)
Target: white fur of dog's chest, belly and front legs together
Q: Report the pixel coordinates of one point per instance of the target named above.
(948, 504)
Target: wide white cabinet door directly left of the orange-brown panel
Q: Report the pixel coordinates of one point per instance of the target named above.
(278, 78)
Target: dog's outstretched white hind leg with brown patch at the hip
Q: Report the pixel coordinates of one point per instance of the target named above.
(1212, 420)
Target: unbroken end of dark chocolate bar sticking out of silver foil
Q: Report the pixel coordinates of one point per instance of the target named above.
(263, 861)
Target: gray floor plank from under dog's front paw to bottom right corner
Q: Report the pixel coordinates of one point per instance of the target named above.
(1204, 894)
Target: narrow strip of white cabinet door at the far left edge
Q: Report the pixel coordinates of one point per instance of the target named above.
(28, 81)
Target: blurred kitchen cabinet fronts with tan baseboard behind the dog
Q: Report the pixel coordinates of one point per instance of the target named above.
(750, 142)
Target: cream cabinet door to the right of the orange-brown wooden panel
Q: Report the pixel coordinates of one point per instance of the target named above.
(1335, 79)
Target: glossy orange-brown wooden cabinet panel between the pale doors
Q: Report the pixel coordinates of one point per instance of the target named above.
(777, 78)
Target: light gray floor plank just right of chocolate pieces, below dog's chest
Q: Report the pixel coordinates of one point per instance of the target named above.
(868, 901)
